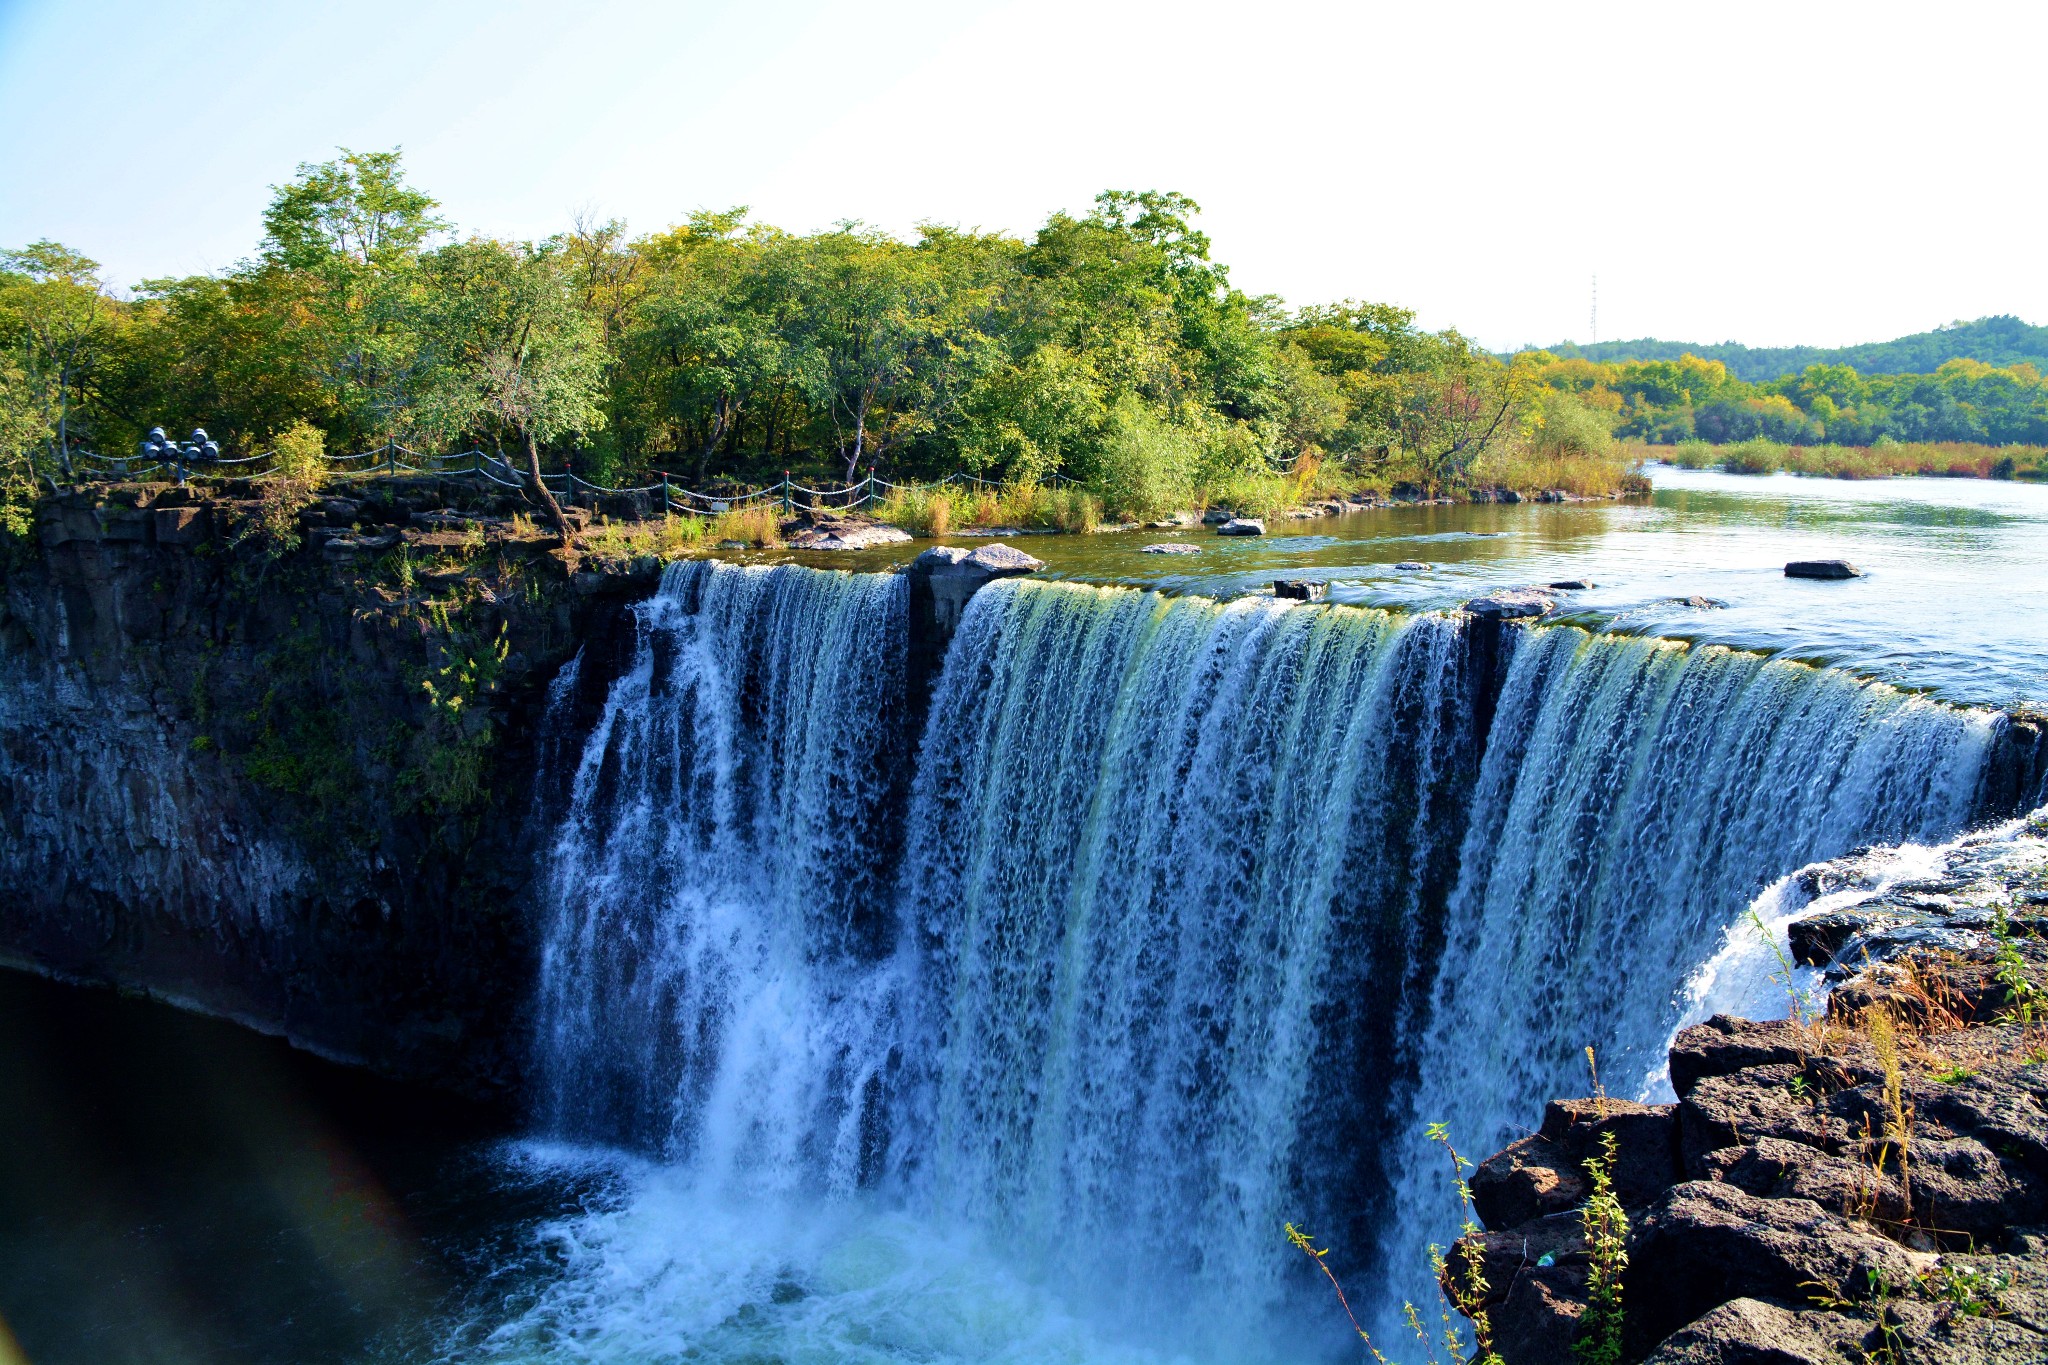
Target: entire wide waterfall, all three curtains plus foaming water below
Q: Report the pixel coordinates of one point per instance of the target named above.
(1179, 924)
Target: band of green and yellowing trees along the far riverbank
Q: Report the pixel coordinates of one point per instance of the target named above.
(1103, 369)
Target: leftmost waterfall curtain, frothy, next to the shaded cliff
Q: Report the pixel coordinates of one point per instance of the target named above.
(720, 887)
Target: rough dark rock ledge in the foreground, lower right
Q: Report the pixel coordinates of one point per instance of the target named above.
(1867, 1186)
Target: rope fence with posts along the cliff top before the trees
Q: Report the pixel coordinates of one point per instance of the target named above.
(394, 459)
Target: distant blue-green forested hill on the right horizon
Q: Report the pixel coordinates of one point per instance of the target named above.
(1996, 341)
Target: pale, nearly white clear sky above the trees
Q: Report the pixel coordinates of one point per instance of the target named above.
(1762, 173)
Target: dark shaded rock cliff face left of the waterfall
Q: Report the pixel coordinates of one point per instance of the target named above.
(275, 764)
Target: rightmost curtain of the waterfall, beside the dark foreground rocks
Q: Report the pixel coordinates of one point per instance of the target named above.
(1637, 795)
